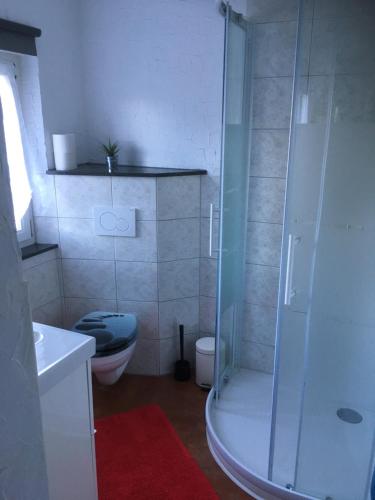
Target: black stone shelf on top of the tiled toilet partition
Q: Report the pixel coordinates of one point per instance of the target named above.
(127, 171)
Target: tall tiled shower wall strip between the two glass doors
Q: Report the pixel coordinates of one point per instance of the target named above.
(275, 32)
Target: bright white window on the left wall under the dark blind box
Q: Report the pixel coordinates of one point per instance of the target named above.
(14, 133)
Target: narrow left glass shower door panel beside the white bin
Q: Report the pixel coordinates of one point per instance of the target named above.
(233, 194)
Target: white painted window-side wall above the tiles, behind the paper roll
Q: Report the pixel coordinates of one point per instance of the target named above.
(59, 57)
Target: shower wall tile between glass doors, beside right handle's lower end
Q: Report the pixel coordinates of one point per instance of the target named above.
(262, 285)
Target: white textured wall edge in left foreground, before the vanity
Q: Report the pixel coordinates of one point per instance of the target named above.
(22, 464)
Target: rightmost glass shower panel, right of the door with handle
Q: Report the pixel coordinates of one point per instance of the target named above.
(338, 411)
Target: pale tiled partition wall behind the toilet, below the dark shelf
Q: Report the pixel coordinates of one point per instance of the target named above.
(155, 275)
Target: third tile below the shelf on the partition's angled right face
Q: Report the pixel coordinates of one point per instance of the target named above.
(178, 279)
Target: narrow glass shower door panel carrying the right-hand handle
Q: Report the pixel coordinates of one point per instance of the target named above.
(305, 170)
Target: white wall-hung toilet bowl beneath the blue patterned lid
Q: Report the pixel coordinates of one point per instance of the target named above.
(110, 368)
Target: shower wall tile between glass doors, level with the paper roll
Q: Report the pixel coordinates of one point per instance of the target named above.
(269, 153)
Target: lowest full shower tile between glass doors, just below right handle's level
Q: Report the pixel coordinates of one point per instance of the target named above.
(260, 324)
